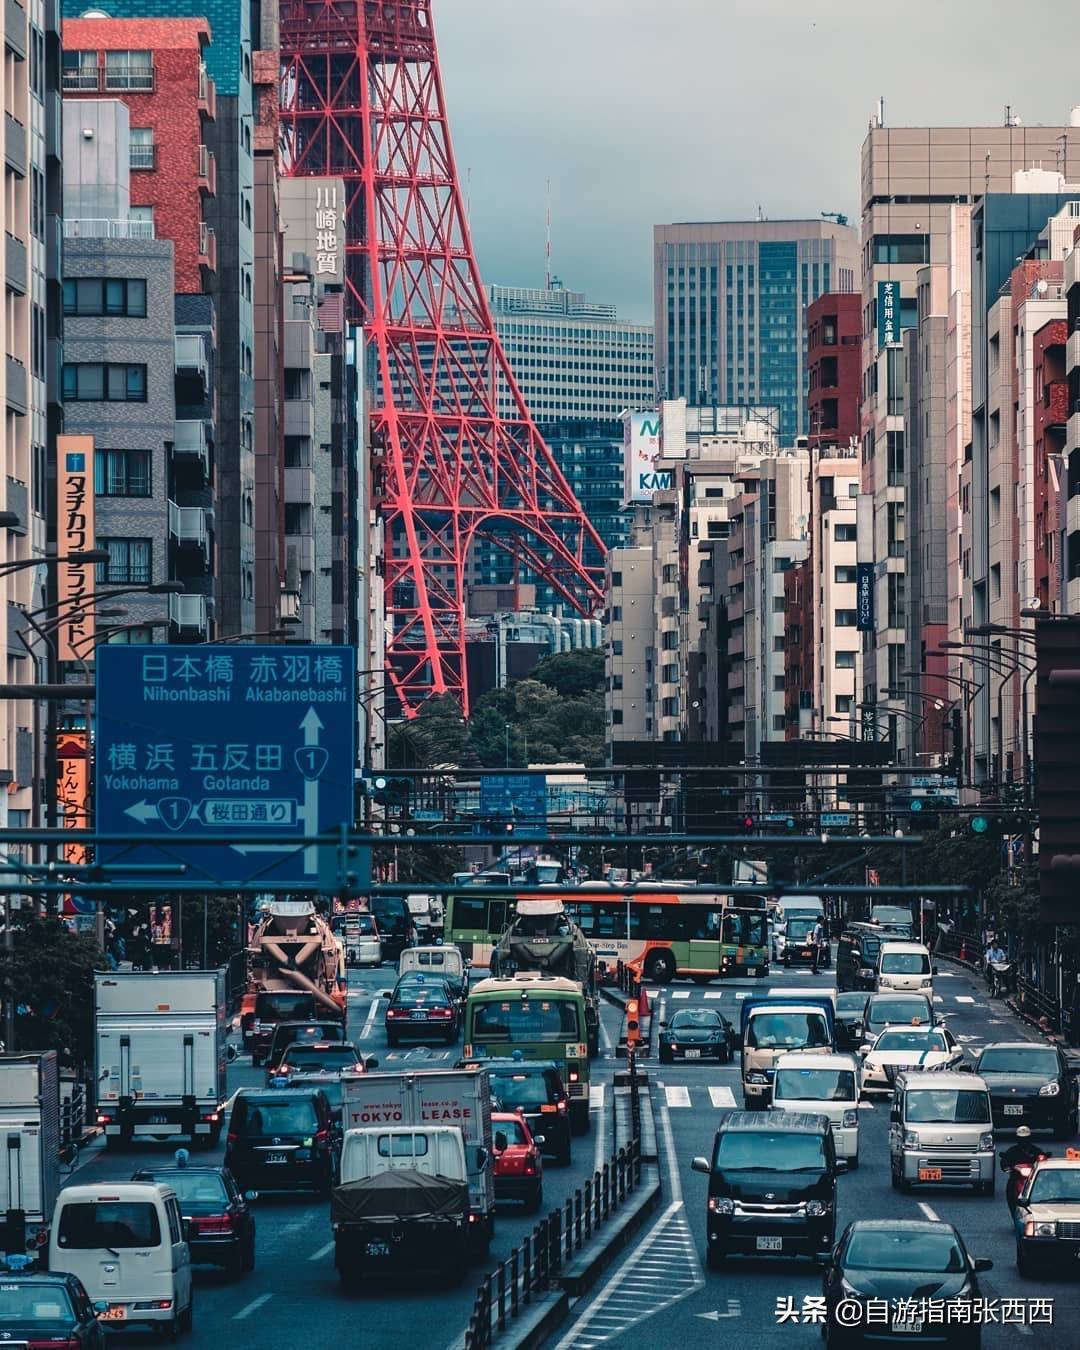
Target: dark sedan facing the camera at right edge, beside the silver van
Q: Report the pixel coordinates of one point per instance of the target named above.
(1029, 1085)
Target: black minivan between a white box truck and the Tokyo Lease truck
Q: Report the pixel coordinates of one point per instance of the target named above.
(283, 1140)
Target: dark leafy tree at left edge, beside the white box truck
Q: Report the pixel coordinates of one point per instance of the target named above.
(52, 974)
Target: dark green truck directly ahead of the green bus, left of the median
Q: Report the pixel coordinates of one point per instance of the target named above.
(543, 938)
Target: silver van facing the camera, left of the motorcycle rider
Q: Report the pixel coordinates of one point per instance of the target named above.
(942, 1132)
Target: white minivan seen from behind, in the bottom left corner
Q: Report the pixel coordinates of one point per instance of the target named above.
(125, 1241)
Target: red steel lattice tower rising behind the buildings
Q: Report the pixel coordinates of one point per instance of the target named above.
(362, 99)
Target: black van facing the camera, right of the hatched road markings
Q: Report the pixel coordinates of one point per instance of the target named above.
(772, 1187)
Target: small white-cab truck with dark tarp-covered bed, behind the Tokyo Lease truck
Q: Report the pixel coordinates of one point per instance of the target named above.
(403, 1202)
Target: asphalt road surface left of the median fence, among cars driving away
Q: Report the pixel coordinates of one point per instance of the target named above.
(294, 1295)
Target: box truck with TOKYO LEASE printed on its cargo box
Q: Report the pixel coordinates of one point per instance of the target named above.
(460, 1098)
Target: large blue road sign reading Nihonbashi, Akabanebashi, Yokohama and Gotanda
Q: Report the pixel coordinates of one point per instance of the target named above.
(230, 740)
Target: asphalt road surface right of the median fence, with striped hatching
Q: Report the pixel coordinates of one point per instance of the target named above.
(664, 1295)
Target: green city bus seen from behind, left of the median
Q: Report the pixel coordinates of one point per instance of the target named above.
(541, 1016)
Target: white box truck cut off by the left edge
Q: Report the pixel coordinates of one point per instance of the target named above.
(30, 1140)
